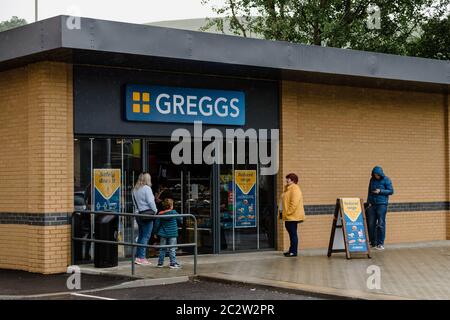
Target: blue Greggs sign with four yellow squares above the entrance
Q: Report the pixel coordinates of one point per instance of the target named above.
(185, 105)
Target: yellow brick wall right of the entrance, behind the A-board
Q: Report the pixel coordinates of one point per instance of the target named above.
(332, 136)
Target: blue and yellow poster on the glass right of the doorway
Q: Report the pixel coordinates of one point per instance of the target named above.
(245, 199)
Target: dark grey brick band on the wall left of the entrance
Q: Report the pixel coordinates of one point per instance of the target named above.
(35, 219)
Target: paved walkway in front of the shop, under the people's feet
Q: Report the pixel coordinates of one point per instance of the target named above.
(407, 271)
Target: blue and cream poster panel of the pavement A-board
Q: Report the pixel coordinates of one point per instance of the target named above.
(354, 225)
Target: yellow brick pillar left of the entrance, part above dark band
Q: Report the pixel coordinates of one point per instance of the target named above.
(50, 137)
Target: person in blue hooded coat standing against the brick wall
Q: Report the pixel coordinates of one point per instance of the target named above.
(380, 188)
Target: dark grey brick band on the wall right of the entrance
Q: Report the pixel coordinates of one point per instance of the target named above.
(393, 207)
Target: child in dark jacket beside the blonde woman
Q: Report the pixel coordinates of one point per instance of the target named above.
(167, 230)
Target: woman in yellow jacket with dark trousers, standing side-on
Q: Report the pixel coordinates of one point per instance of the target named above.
(292, 211)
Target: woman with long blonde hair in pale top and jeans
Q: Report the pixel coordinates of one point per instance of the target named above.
(144, 201)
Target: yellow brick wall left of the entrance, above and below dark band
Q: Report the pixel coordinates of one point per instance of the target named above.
(36, 164)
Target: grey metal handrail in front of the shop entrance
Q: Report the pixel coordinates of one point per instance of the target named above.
(133, 244)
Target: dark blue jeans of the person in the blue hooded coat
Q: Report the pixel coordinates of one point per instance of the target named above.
(376, 223)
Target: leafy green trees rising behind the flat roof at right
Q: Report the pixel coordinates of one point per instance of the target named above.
(389, 26)
